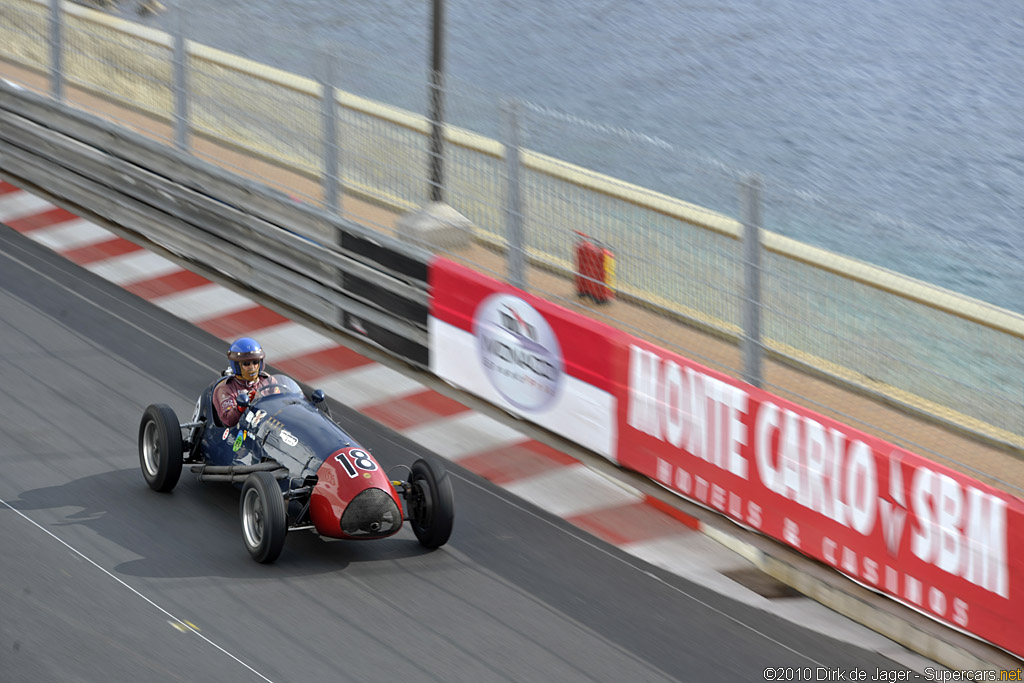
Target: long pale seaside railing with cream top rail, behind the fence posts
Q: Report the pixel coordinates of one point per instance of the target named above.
(840, 317)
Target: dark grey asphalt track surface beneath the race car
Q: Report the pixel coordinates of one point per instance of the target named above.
(104, 580)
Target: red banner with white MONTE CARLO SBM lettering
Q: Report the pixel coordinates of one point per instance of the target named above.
(936, 540)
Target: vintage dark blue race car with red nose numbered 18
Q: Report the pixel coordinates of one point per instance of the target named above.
(297, 471)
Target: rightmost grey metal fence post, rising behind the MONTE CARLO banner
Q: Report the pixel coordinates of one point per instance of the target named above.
(751, 347)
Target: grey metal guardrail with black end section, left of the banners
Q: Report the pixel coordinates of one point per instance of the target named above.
(345, 276)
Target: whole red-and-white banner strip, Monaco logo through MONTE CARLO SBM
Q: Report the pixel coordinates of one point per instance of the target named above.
(922, 533)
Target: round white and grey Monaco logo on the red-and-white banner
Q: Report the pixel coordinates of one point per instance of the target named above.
(519, 351)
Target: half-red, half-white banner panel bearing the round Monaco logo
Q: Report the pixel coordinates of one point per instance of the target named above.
(526, 355)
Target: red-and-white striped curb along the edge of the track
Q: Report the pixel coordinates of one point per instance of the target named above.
(642, 526)
